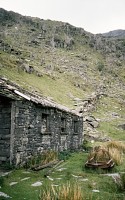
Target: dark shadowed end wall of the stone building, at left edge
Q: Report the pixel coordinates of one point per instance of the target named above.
(5, 127)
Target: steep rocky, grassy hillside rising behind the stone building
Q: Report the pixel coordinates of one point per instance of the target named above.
(80, 70)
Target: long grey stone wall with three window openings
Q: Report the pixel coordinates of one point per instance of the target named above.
(37, 128)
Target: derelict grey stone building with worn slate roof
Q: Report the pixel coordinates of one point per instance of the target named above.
(30, 123)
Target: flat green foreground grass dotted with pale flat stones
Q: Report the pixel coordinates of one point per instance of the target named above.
(73, 171)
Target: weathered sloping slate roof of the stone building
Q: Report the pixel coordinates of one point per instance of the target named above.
(15, 92)
